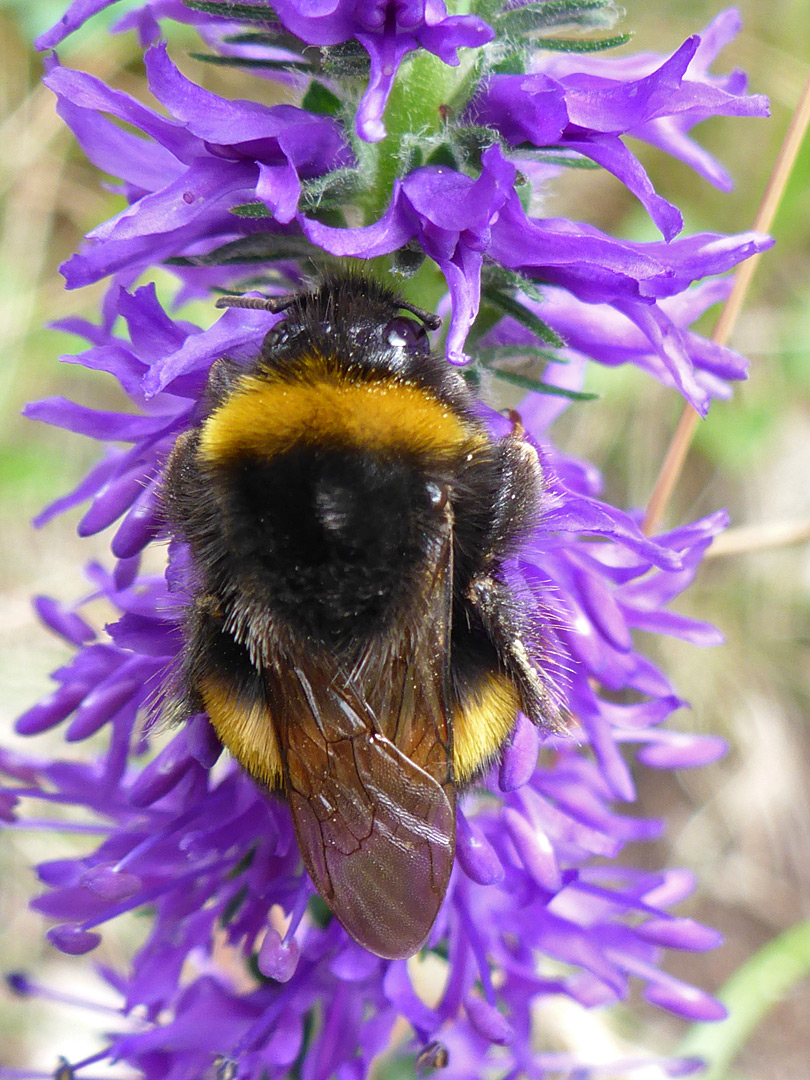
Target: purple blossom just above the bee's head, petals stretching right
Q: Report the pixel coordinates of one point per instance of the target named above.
(457, 222)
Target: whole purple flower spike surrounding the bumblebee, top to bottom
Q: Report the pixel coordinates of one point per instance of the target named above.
(227, 191)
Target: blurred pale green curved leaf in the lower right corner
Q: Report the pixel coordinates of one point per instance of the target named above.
(750, 995)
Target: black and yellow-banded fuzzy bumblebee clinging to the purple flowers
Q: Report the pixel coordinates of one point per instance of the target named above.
(352, 633)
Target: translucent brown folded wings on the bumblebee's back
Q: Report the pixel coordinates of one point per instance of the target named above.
(369, 775)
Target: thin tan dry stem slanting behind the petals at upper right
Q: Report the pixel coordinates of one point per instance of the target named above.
(677, 453)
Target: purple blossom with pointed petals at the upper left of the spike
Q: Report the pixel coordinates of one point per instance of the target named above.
(212, 155)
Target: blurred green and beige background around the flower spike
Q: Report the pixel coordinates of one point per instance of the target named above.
(742, 826)
